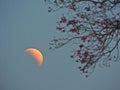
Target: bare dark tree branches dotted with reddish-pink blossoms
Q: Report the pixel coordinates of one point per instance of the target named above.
(93, 26)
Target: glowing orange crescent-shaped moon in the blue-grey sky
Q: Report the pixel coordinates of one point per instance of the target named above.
(36, 54)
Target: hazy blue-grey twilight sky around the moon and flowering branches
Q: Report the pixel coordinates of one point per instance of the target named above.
(26, 23)
